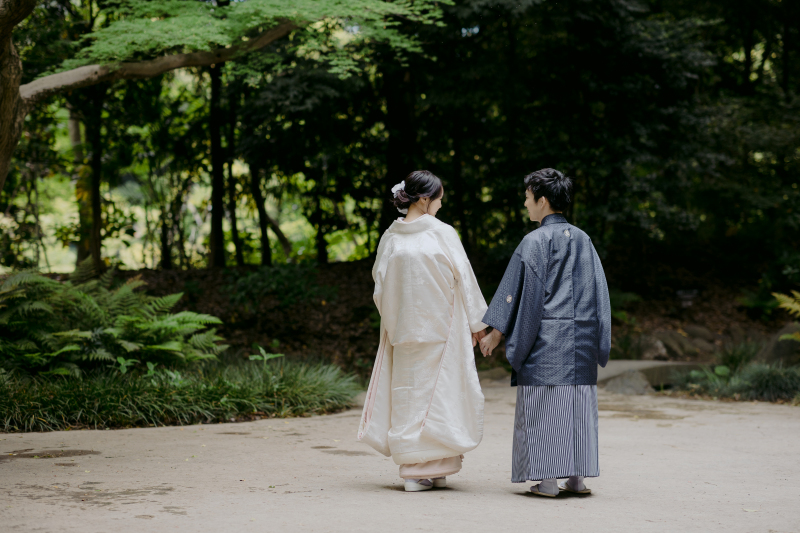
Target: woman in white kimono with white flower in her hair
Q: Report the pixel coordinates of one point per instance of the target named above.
(424, 405)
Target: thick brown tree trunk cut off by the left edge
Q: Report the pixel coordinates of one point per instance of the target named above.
(12, 107)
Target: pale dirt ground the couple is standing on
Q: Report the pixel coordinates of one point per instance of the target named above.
(666, 465)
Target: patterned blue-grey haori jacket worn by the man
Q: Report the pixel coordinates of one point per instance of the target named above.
(553, 308)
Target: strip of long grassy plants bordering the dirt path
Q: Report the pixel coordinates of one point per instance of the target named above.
(103, 399)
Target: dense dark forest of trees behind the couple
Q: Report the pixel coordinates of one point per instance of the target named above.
(679, 122)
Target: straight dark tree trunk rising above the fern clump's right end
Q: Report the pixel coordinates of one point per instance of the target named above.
(217, 244)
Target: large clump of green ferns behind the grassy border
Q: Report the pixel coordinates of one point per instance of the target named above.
(68, 327)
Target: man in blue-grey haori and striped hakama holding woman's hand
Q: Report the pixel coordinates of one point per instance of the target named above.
(554, 310)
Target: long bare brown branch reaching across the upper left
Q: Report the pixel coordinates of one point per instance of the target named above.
(93, 74)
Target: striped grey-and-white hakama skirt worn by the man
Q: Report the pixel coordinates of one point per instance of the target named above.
(555, 433)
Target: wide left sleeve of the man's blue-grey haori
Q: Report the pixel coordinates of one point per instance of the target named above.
(516, 310)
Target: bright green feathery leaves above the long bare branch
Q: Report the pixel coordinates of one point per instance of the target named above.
(330, 29)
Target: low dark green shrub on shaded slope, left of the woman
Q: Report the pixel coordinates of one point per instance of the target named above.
(292, 284)
